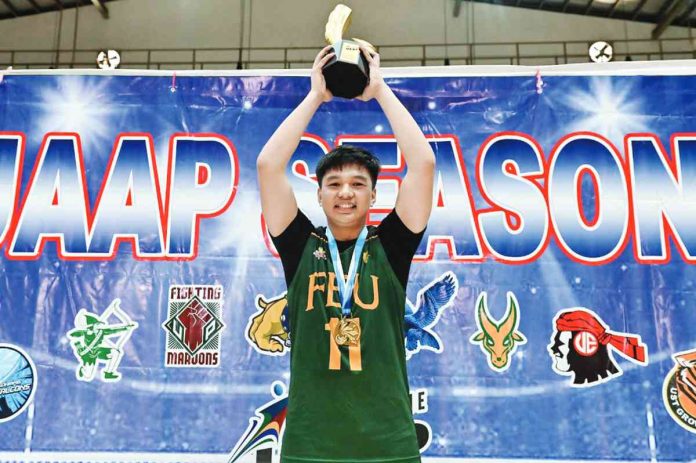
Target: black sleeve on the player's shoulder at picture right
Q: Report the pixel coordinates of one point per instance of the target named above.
(399, 243)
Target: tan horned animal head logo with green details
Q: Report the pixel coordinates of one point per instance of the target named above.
(498, 339)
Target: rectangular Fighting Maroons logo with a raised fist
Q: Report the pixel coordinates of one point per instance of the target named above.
(194, 326)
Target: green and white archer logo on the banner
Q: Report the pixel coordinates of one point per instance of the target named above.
(99, 339)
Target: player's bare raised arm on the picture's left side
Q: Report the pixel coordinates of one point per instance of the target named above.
(277, 198)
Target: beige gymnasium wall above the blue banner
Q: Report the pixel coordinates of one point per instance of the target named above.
(158, 24)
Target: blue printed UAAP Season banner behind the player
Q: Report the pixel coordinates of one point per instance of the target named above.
(549, 313)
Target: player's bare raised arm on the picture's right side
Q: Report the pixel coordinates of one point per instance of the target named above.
(415, 199)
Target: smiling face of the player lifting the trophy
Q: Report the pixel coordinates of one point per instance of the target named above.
(346, 195)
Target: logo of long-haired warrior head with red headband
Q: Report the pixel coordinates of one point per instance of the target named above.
(581, 347)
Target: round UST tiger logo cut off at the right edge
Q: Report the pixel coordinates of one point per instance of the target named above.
(679, 390)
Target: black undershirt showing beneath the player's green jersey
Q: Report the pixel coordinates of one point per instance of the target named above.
(398, 241)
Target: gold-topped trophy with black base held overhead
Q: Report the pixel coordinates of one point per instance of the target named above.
(348, 72)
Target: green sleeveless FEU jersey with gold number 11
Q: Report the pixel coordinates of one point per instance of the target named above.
(348, 403)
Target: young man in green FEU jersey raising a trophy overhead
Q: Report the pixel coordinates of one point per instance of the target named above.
(348, 397)
